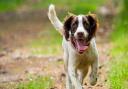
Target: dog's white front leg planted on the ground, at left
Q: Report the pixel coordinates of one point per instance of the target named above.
(74, 78)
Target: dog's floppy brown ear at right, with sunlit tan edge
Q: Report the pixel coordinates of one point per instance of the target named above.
(93, 24)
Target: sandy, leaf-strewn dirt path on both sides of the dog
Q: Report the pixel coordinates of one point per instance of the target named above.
(13, 70)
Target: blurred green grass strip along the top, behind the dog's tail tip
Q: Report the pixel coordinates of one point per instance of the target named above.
(75, 6)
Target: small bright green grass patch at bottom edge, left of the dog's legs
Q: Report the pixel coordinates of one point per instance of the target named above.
(37, 83)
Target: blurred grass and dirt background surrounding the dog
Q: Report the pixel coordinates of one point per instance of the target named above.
(31, 52)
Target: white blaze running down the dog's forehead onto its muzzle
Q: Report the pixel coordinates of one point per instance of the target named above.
(80, 27)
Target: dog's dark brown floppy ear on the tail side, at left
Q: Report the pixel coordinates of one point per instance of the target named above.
(67, 26)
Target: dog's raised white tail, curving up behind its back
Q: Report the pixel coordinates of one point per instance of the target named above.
(54, 19)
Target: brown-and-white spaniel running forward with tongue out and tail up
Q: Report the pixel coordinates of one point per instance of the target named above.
(80, 51)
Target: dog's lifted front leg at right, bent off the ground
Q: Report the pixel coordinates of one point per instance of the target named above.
(93, 75)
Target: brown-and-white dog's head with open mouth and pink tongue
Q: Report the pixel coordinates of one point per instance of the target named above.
(80, 30)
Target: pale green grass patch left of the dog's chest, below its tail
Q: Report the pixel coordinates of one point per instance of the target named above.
(49, 43)
